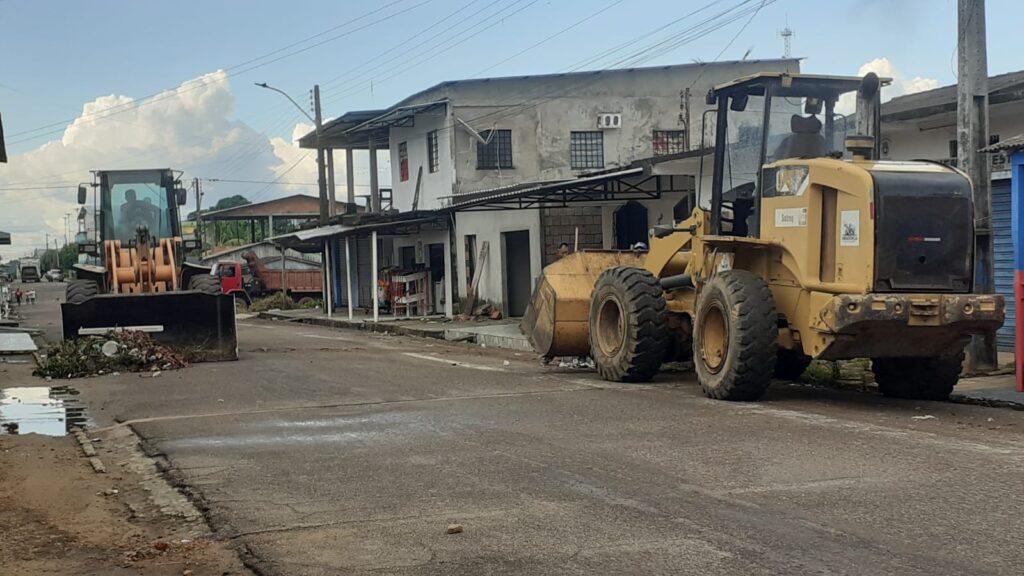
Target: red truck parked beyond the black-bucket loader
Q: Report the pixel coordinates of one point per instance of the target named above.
(253, 279)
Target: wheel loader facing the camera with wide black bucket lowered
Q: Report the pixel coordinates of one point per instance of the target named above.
(136, 276)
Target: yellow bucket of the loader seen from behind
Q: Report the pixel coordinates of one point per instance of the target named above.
(558, 321)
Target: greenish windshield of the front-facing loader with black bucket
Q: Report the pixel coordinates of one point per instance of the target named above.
(137, 199)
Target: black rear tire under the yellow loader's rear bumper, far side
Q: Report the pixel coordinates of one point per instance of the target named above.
(918, 379)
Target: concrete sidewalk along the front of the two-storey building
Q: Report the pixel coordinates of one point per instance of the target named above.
(492, 334)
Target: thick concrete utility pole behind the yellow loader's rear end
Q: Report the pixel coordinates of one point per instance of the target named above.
(972, 136)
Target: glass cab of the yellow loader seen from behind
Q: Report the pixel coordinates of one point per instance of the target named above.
(769, 117)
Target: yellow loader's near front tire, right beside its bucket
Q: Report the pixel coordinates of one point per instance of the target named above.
(629, 334)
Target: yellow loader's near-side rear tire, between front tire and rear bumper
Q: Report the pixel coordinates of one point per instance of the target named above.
(735, 338)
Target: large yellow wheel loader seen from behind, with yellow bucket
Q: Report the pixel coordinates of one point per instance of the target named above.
(803, 246)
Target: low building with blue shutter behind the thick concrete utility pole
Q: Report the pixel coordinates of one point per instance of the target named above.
(924, 127)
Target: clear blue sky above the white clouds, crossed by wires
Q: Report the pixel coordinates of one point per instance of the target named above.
(61, 55)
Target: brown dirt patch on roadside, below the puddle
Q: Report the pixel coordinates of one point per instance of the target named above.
(59, 517)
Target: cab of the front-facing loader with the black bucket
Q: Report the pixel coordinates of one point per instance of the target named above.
(130, 199)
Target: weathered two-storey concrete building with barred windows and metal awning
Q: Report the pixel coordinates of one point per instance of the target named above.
(526, 163)
